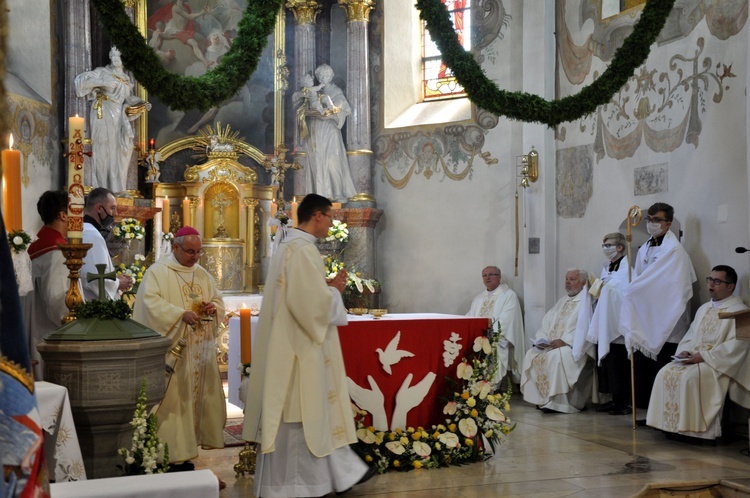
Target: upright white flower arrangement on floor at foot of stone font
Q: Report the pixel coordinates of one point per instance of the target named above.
(145, 446)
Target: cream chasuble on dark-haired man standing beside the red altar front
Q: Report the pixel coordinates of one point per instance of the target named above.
(298, 370)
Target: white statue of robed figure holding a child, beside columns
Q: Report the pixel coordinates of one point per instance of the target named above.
(327, 171)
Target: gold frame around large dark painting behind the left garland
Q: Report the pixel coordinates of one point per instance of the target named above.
(281, 72)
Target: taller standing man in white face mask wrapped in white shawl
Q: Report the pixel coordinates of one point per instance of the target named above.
(655, 310)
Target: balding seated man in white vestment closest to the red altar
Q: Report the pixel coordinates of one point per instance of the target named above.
(500, 304)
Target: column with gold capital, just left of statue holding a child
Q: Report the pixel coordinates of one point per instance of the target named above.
(305, 12)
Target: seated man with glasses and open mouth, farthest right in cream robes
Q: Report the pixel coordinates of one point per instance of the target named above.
(688, 395)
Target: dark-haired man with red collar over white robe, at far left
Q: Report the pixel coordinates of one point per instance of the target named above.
(44, 307)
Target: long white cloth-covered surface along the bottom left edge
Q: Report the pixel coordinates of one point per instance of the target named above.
(195, 484)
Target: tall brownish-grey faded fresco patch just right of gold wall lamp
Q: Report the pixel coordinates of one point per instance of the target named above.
(574, 180)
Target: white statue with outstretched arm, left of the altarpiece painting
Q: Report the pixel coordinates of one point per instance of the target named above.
(113, 108)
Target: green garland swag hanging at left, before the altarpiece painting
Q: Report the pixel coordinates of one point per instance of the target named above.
(186, 92)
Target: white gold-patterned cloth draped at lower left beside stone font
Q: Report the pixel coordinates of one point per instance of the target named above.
(61, 448)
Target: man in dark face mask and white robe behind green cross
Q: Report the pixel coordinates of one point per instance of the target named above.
(99, 213)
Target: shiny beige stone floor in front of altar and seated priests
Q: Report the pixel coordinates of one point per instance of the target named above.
(588, 454)
